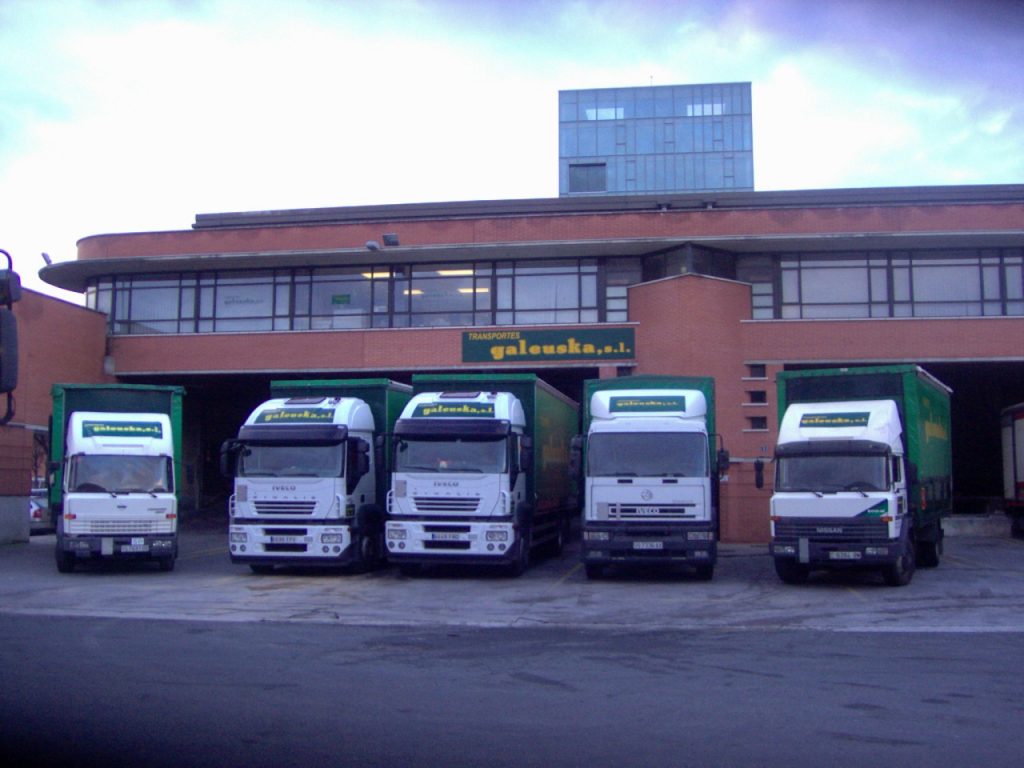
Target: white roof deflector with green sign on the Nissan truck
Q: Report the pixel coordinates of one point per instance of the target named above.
(877, 421)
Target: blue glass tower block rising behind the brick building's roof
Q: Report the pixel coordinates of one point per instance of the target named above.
(667, 139)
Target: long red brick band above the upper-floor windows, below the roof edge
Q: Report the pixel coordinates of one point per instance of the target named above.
(836, 220)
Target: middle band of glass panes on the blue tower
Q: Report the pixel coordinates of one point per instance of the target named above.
(653, 137)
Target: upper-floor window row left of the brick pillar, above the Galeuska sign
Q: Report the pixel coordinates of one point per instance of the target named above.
(481, 294)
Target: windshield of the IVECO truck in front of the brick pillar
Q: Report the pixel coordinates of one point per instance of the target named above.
(648, 455)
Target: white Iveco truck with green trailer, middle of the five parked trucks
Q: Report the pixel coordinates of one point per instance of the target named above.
(482, 472)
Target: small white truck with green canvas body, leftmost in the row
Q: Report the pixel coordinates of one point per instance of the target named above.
(116, 473)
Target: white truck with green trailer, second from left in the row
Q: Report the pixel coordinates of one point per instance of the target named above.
(311, 468)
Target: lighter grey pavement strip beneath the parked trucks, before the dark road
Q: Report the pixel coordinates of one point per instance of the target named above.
(978, 587)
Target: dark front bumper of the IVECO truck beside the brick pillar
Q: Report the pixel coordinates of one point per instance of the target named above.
(605, 544)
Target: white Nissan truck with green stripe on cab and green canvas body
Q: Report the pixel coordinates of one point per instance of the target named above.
(863, 472)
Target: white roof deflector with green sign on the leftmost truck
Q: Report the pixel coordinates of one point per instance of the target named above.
(100, 433)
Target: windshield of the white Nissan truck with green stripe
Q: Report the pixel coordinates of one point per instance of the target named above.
(832, 474)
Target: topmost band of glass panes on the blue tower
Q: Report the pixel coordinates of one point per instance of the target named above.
(663, 101)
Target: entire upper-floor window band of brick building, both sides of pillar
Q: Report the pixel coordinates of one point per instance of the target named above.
(898, 284)
